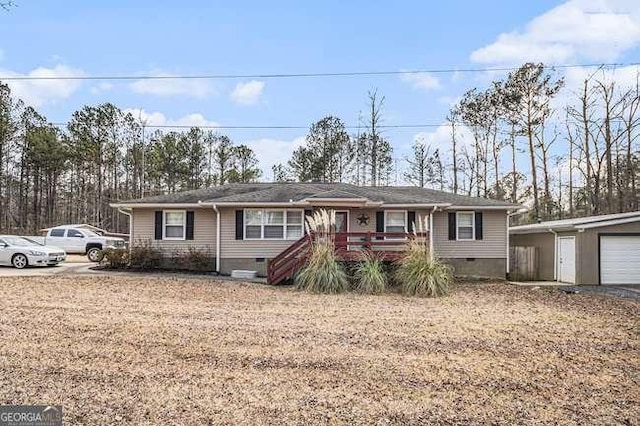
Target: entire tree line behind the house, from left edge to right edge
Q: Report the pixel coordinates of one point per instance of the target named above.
(513, 140)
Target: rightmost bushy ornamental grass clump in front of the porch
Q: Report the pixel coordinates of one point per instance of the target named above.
(420, 274)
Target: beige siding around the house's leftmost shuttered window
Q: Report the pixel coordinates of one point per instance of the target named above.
(204, 231)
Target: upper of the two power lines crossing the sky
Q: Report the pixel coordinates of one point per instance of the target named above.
(301, 75)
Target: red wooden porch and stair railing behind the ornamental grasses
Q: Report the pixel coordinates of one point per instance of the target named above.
(349, 246)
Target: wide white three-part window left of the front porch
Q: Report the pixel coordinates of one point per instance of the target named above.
(271, 224)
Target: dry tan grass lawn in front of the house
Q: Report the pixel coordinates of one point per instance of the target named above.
(148, 350)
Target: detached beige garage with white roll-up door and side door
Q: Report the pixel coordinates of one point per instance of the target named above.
(590, 250)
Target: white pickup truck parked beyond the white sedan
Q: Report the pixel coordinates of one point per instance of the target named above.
(78, 241)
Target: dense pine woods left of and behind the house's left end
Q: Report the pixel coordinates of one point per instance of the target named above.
(51, 176)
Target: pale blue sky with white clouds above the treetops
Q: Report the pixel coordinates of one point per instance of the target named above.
(41, 37)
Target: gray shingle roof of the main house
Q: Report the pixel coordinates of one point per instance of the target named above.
(287, 192)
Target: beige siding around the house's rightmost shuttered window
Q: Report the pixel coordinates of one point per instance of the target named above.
(492, 245)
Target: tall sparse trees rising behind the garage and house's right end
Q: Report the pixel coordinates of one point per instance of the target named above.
(582, 153)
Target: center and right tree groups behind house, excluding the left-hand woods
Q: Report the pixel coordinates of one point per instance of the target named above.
(526, 142)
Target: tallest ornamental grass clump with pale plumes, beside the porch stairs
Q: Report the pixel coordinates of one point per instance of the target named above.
(323, 273)
